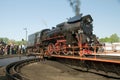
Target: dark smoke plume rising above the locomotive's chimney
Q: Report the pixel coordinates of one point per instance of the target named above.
(75, 4)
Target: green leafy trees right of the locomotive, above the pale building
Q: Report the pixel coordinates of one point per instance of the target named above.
(111, 39)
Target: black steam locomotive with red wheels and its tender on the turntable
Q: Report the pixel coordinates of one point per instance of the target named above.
(74, 37)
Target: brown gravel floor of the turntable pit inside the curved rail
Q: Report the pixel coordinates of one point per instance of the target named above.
(51, 70)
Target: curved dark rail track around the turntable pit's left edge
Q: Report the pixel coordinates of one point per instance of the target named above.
(13, 69)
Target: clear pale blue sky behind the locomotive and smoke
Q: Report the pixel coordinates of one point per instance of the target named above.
(35, 15)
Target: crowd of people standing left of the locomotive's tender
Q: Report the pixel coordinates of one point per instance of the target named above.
(7, 49)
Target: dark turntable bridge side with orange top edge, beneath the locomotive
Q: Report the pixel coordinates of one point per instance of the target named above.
(108, 68)
